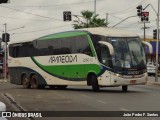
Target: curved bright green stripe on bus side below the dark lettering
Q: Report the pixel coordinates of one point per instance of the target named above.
(70, 71)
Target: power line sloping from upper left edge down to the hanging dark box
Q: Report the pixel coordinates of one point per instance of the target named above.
(32, 13)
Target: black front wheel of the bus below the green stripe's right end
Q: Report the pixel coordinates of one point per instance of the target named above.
(94, 82)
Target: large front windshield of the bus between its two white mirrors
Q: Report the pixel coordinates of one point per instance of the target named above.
(129, 52)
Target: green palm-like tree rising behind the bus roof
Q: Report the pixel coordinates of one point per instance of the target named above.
(90, 20)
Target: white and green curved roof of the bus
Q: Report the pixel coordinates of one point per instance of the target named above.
(110, 32)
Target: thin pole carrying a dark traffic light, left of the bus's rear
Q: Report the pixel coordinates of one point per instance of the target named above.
(5, 53)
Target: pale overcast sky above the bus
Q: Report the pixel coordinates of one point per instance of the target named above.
(31, 19)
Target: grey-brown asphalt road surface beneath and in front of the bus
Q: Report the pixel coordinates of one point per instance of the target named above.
(138, 98)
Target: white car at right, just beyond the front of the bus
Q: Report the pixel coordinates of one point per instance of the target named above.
(151, 68)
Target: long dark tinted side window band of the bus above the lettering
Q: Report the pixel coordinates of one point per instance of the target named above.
(68, 45)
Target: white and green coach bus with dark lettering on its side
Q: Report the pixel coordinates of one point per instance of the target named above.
(97, 57)
